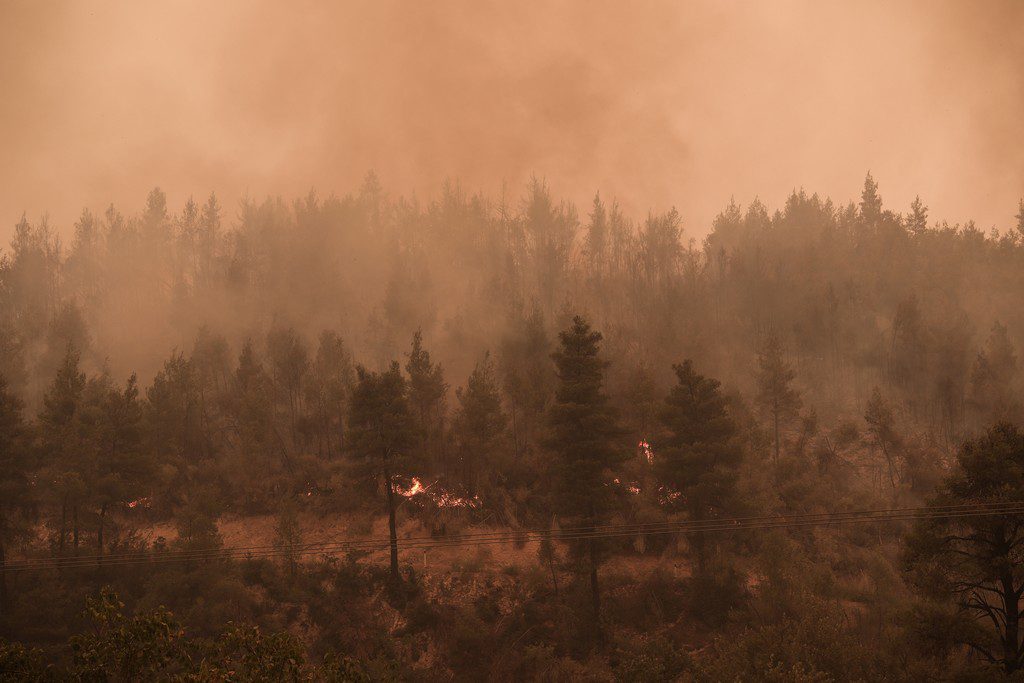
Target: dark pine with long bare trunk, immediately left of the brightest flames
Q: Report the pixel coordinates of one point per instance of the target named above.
(381, 437)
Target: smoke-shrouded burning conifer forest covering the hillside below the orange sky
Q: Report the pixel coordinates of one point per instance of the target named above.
(470, 438)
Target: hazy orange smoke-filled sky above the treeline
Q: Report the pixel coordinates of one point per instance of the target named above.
(656, 104)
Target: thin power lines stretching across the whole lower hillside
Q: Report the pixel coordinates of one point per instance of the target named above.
(762, 523)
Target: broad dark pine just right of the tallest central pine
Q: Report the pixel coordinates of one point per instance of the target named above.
(701, 455)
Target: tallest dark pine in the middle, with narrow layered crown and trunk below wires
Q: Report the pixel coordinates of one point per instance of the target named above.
(583, 438)
